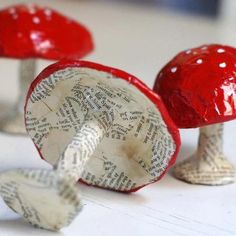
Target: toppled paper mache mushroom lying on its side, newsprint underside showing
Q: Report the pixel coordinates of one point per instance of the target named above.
(93, 123)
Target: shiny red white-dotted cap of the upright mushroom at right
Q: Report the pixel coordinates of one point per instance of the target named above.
(198, 86)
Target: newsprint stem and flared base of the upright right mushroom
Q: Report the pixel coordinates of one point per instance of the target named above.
(208, 165)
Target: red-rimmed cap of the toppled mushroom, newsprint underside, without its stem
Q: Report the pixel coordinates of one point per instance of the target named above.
(139, 147)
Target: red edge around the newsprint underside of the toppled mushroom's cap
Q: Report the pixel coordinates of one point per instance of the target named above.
(116, 73)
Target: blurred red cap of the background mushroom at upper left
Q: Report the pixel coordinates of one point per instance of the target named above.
(30, 31)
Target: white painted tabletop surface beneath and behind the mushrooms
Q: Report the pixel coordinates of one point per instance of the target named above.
(139, 40)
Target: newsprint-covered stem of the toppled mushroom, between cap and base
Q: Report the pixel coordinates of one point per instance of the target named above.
(76, 155)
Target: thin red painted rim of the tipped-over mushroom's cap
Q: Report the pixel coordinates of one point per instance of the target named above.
(123, 75)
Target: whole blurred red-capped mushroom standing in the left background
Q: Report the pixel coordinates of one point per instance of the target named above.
(28, 32)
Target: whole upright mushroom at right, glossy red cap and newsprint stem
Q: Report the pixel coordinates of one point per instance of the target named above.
(198, 87)
